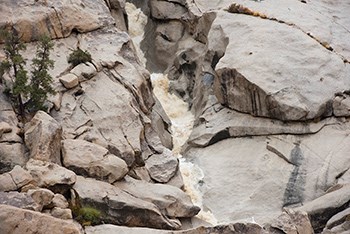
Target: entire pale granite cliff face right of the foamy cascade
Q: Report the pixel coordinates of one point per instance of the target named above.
(267, 90)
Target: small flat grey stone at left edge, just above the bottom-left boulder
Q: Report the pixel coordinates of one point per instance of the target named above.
(20, 200)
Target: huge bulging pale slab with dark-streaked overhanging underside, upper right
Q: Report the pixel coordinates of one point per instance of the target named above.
(262, 75)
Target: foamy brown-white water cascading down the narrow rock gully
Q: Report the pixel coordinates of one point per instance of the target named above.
(178, 111)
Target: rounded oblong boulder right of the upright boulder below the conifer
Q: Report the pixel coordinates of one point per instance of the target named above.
(92, 160)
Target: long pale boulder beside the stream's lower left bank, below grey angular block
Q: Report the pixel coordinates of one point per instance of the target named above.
(172, 201)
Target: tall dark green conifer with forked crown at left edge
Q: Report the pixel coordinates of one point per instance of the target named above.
(34, 89)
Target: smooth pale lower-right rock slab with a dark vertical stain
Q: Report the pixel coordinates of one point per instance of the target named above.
(307, 166)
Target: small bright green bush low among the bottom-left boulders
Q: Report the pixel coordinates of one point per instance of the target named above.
(87, 216)
